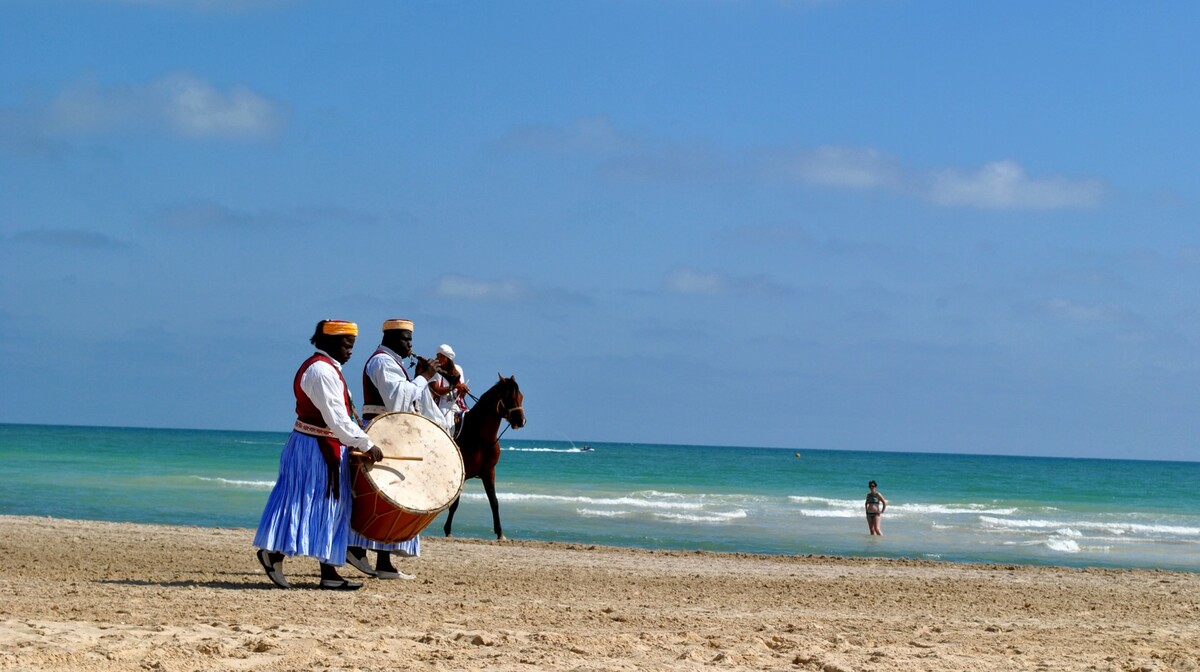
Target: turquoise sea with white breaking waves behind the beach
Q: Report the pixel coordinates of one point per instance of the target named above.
(799, 501)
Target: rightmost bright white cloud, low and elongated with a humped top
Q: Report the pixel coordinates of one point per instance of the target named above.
(1005, 185)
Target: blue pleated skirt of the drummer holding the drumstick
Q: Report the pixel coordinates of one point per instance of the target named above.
(299, 520)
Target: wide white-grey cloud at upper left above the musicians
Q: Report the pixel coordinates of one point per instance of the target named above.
(178, 104)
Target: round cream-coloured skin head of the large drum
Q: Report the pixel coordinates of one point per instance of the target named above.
(425, 485)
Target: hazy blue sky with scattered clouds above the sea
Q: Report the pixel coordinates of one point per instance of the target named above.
(865, 225)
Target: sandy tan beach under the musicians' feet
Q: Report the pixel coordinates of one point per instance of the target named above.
(100, 597)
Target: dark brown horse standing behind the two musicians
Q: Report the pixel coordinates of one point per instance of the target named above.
(481, 445)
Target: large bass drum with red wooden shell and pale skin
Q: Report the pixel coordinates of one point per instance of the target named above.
(421, 476)
